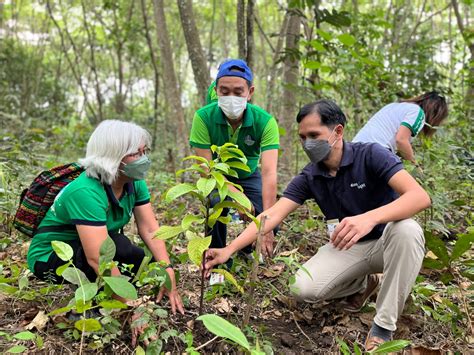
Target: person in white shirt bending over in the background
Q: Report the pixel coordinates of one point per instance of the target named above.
(395, 125)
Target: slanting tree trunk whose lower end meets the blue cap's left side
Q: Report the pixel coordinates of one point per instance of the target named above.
(196, 54)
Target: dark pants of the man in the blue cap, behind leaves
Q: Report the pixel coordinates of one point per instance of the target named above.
(253, 190)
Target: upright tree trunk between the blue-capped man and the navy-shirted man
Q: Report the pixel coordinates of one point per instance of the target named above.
(290, 82)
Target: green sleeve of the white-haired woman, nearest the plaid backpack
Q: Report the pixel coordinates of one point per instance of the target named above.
(86, 207)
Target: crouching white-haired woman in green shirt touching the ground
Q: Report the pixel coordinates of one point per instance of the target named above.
(99, 203)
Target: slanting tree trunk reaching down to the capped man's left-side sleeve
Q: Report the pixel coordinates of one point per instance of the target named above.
(172, 92)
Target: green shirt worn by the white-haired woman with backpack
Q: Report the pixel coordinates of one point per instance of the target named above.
(85, 201)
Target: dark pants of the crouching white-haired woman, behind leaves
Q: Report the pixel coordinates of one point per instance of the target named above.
(126, 253)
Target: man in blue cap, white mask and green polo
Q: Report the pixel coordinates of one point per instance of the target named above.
(232, 119)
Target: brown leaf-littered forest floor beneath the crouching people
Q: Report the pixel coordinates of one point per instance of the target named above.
(276, 320)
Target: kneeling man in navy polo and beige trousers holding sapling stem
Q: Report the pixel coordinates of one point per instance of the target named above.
(369, 199)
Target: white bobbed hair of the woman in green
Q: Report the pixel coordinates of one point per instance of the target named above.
(110, 142)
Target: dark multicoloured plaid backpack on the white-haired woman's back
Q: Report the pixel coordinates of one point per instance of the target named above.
(36, 200)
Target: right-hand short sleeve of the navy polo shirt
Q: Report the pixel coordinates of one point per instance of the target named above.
(383, 163)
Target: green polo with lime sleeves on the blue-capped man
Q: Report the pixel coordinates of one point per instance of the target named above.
(257, 133)
